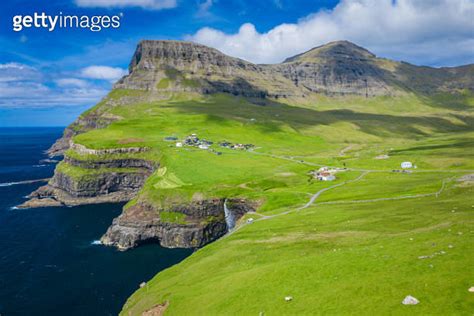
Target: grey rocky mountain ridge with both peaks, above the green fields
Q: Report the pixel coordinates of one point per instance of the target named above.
(336, 68)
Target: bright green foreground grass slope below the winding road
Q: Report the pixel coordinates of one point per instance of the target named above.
(332, 259)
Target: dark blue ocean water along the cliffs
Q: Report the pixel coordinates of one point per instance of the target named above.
(49, 262)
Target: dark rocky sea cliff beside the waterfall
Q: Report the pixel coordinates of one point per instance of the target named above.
(200, 223)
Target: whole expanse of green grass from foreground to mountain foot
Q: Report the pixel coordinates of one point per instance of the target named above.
(355, 249)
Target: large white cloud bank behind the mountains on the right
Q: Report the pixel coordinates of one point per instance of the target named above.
(435, 32)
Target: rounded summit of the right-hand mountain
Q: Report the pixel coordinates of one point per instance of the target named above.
(333, 50)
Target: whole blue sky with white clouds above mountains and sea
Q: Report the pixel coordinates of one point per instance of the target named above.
(47, 78)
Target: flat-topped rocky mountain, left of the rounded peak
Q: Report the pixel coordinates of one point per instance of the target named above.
(171, 66)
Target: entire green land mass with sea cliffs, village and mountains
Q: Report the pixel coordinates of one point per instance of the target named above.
(202, 145)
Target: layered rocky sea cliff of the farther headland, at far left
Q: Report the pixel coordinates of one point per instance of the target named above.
(113, 180)
